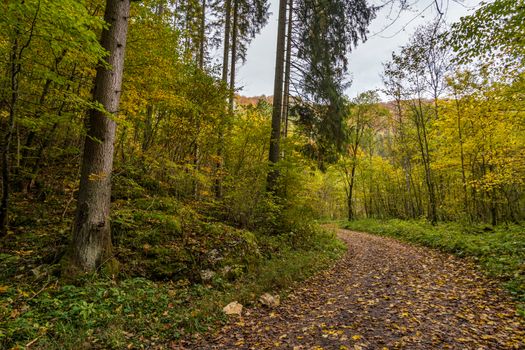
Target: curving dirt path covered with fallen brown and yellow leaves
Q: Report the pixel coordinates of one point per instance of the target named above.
(382, 295)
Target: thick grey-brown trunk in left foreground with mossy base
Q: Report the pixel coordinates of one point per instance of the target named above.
(91, 245)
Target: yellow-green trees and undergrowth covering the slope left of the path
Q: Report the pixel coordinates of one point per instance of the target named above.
(182, 253)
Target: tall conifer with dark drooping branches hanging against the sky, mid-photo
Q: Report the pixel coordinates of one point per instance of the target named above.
(325, 32)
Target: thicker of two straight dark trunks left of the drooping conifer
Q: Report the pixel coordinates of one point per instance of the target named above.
(277, 99)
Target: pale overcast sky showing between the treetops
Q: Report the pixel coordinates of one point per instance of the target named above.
(256, 76)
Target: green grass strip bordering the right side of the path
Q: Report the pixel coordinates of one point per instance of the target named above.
(500, 251)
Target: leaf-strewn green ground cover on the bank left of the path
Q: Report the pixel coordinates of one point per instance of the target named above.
(159, 295)
